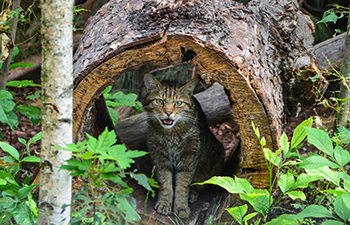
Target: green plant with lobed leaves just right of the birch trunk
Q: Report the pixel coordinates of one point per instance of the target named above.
(101, 160)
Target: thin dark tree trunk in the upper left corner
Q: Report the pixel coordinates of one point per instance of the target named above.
(5, 69)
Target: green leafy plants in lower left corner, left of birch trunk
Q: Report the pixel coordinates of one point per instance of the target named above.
(16, 201)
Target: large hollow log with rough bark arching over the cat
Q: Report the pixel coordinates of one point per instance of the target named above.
(261, 53)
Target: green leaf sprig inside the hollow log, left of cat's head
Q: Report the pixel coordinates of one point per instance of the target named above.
(119, 99)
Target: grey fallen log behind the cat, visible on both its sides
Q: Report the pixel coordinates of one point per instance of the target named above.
(133, 130)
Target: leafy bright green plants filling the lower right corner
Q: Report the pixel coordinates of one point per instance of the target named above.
(328, 166)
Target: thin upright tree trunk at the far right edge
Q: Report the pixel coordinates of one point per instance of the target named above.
(343, 115)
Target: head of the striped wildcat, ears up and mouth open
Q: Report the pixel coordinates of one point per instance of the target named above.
(169, 104)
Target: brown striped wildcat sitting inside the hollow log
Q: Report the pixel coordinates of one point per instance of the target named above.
(180, 144)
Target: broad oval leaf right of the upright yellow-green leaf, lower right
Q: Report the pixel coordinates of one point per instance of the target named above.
(320, 139)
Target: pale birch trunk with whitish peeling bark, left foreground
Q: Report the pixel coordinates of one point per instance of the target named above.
(57, 84)
